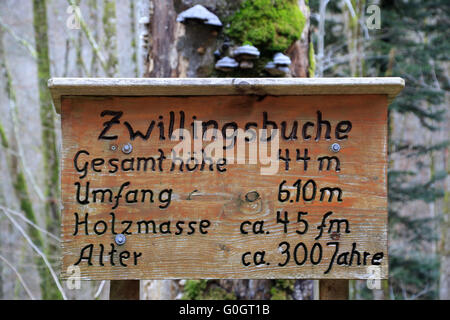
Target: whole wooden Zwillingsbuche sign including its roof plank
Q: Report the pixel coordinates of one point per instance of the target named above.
(322, 214)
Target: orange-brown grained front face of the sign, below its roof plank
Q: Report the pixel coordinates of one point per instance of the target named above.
(218, 199)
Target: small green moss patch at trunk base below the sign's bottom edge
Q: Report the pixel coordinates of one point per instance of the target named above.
(202, 290)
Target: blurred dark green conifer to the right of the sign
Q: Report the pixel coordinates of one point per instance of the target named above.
(414, 45)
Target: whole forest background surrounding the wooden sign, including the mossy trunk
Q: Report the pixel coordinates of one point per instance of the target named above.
(104, 38)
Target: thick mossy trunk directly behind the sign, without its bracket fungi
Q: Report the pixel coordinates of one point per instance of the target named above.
(179, 50)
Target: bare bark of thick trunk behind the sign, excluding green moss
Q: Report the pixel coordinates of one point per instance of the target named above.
(187, 50)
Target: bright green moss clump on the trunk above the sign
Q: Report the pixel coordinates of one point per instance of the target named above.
(271, 25)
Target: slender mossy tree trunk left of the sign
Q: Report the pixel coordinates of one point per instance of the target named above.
(49, 139)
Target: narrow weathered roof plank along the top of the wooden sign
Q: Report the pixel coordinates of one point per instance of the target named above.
(59, 87)
